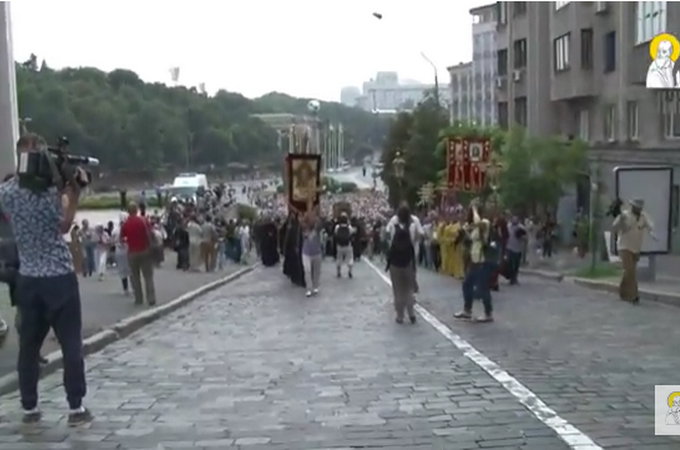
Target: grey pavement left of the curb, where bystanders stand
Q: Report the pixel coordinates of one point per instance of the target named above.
(105, 304)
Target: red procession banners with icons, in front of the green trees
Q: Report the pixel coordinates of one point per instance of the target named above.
(466, 160)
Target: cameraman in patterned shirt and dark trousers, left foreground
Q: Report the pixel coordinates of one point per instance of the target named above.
(47, 291)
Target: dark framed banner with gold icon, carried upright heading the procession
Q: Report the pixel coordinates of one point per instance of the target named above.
(303, 174)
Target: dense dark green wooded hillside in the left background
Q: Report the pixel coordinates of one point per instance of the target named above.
(133, 125)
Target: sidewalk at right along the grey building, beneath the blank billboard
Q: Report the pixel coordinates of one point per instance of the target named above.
(665, 289)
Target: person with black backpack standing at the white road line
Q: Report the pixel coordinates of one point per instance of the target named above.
(401, 257)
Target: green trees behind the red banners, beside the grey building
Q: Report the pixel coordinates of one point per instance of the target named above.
(535, 170)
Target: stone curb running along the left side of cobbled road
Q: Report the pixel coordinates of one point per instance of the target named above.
(123, 328)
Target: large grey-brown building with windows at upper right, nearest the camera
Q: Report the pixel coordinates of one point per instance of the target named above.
(579, 69)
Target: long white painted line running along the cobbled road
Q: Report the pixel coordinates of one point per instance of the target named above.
(574, 438)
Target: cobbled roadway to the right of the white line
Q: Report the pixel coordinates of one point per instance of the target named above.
(593, 359)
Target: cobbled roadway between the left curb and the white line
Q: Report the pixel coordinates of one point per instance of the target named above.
(258, 366)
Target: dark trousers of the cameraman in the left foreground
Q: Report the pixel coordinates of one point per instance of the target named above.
(44, 303)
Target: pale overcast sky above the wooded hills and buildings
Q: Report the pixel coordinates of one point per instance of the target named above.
(307, 48)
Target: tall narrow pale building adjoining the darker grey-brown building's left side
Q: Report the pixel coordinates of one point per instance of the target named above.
(484, 64)
